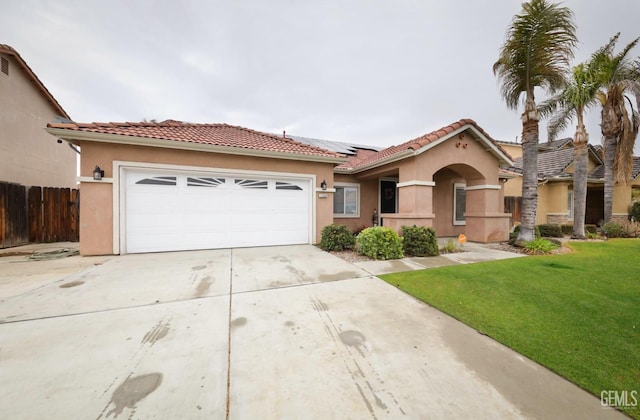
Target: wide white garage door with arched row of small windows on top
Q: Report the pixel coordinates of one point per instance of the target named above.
(169, 211)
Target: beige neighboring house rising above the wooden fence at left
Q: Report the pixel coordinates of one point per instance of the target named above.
(28, 155)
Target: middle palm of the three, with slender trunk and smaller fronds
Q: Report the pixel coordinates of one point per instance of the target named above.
(578, 95)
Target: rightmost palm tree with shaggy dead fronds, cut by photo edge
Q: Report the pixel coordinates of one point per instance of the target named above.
(620, 121)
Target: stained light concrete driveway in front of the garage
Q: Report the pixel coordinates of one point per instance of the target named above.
(269, 333)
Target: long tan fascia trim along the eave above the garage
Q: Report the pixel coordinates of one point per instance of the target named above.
(74, 137)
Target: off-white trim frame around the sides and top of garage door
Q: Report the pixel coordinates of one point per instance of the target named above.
(118, 193)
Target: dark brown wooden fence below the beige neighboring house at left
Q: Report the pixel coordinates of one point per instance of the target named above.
(38, 214)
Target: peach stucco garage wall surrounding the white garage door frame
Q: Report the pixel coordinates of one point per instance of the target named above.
(96, 217)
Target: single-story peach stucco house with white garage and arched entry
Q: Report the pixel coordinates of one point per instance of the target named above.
(171, 185)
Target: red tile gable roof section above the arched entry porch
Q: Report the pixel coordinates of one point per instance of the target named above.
(358, 161)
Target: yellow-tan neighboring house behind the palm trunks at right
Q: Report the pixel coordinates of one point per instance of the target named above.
(555, 183)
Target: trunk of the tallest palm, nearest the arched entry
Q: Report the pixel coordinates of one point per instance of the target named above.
(529, 178)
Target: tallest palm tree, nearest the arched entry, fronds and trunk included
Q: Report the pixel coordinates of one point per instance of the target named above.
(536, 53)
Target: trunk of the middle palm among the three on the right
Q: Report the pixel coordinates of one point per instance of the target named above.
(580, 166)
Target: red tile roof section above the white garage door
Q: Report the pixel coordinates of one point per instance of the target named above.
(209, 134)
